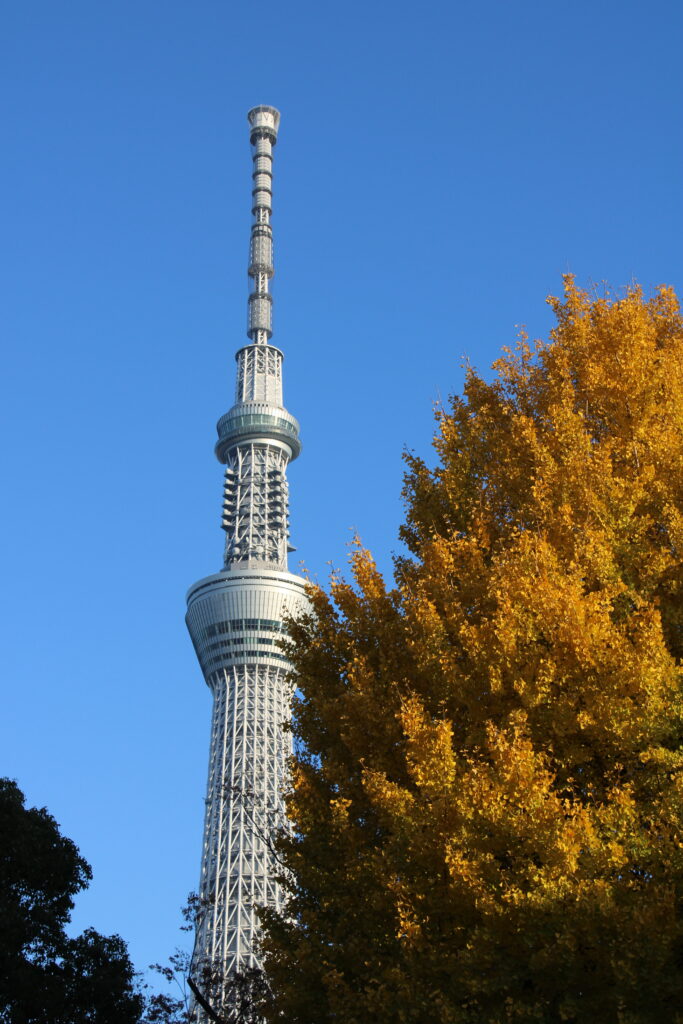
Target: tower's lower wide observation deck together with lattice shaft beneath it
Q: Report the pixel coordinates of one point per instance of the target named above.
(236, 621)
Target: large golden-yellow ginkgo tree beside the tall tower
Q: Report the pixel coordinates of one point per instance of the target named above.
(488, 799)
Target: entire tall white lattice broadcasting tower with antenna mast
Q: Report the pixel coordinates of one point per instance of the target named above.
(236, 618)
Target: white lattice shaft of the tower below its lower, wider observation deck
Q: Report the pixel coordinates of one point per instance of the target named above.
(244, 804)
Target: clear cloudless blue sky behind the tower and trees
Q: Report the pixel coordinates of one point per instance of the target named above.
(440, 167)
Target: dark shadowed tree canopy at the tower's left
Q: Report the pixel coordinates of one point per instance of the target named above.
(48, 977)
